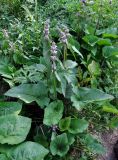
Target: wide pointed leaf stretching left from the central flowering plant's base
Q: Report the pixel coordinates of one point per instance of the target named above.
(29, 92)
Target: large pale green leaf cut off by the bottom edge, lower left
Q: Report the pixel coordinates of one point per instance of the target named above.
(28, 151)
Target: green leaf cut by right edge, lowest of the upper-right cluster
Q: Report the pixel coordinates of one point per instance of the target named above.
(109, 51)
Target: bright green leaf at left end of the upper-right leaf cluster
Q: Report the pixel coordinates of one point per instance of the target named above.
(90, 39)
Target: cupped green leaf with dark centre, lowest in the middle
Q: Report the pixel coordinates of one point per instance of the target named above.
(60, 146)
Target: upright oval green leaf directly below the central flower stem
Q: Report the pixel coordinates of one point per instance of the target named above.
(53, 113)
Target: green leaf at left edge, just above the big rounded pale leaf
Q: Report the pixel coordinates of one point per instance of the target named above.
(10, 108)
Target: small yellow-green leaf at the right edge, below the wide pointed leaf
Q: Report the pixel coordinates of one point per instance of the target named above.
(110, 109)
